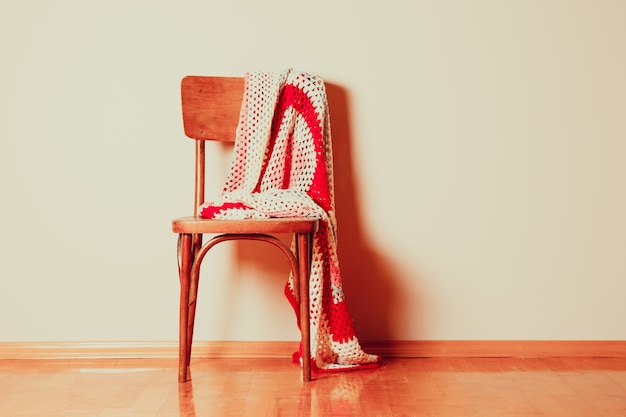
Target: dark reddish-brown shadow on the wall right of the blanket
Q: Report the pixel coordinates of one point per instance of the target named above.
(369, 280)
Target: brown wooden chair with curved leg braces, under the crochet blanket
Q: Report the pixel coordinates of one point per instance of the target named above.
(211, 108)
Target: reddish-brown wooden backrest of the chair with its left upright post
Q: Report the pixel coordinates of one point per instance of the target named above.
(211, 107)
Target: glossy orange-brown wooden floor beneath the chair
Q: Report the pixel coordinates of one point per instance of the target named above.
(246, 387)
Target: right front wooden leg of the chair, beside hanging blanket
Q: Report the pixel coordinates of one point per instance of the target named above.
(304, 266)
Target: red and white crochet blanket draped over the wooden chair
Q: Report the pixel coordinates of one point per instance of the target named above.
(283, 167)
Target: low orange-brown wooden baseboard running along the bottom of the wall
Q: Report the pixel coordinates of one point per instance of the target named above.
(284, 349)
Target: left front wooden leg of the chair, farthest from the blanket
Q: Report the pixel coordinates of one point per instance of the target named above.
(186, 259)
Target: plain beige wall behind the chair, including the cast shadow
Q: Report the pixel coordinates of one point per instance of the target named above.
(480, 157)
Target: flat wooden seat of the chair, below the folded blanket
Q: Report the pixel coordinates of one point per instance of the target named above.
(197, 225)
